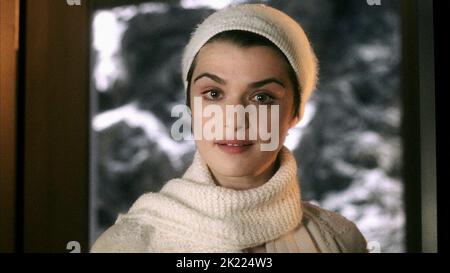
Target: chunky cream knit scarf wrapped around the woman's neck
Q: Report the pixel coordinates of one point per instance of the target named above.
(193, 214)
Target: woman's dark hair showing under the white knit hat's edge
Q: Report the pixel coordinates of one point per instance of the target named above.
(245, 39)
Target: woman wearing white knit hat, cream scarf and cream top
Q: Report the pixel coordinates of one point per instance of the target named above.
(236, 196)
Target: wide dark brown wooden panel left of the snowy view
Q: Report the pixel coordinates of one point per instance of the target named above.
(56, 126)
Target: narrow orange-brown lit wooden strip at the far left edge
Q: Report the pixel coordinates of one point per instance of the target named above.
(8, 92)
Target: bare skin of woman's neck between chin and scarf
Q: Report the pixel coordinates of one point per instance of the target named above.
(245, 182)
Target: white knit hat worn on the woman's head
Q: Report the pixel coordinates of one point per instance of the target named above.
(268, 22)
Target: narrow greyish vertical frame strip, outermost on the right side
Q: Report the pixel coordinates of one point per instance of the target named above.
(427, 126)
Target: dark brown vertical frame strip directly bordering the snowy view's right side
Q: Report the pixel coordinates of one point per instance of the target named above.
(411, 126)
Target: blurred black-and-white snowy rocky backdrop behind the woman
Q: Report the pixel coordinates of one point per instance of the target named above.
(348, 145)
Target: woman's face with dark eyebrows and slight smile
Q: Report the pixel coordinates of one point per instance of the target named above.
(225, 74)
